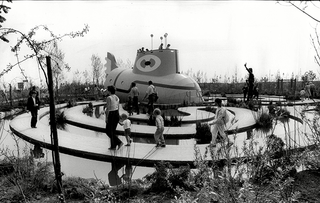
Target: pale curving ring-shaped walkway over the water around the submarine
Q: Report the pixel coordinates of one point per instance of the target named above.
(139, 153)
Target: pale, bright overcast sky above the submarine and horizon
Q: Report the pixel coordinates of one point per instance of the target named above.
(213, 37)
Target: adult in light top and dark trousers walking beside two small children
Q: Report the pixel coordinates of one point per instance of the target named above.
(112, 118)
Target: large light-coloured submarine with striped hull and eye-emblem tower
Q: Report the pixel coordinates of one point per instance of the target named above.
(160, 66)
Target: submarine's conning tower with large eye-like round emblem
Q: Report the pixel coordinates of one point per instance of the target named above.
(159, 62)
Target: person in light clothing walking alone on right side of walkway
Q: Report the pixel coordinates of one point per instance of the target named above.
(219, 124)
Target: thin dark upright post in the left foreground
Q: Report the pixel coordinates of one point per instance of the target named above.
(54, 133)
